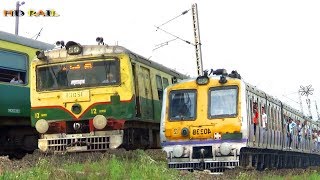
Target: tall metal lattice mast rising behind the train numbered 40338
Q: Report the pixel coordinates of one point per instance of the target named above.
(197, 39)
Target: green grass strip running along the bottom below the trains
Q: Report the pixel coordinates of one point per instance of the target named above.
(136, 165)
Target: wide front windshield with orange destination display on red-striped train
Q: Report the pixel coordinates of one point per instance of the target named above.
(78, 74)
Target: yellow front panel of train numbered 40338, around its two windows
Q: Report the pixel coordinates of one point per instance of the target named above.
(203, 127)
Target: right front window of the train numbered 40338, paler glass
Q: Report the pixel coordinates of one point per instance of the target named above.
(223, 102)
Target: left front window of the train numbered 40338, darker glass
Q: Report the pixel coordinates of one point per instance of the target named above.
(182, 104)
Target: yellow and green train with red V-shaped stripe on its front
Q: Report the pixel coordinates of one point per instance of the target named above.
(96, 97)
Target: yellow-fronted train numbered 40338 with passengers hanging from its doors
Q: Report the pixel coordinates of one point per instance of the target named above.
(207, 124)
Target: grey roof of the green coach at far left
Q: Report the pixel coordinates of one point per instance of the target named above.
(24, 41)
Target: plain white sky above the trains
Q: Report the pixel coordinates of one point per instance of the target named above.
(273, 44)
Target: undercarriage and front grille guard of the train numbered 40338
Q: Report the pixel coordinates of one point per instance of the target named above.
(249, 159)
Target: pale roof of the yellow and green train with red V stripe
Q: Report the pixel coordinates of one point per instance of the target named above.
(88, 49)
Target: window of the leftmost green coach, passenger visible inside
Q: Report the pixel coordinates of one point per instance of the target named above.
(13, 65)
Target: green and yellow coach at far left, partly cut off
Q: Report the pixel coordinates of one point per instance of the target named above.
(17, 135)
